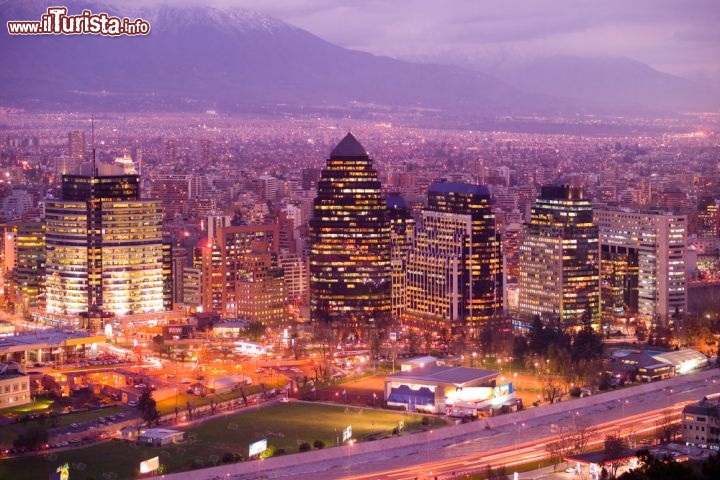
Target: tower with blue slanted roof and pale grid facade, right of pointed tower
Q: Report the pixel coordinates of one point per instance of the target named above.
(454, 279)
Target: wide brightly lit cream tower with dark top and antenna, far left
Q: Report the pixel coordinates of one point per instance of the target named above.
(104, 246)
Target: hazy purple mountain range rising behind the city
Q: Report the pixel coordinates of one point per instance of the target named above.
(234, 60)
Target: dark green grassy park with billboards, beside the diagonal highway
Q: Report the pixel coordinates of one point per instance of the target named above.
(286, 426)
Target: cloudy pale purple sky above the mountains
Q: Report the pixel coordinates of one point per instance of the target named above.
(674, 36)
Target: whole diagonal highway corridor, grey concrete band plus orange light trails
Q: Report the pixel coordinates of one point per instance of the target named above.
(503, 440)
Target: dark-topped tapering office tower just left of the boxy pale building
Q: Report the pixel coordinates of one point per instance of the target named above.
(559, 275)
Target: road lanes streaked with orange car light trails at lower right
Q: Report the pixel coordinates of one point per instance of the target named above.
(512, 443)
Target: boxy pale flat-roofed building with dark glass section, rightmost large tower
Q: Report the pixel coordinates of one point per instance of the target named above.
(650, 247)
